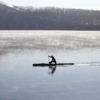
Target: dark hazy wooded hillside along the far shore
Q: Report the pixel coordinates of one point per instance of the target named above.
(48, 18)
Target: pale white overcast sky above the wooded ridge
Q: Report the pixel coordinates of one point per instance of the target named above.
(78, 4)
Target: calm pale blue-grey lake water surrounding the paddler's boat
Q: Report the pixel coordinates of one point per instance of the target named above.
(19, 80)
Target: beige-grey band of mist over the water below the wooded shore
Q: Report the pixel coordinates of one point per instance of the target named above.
(48, 40)
